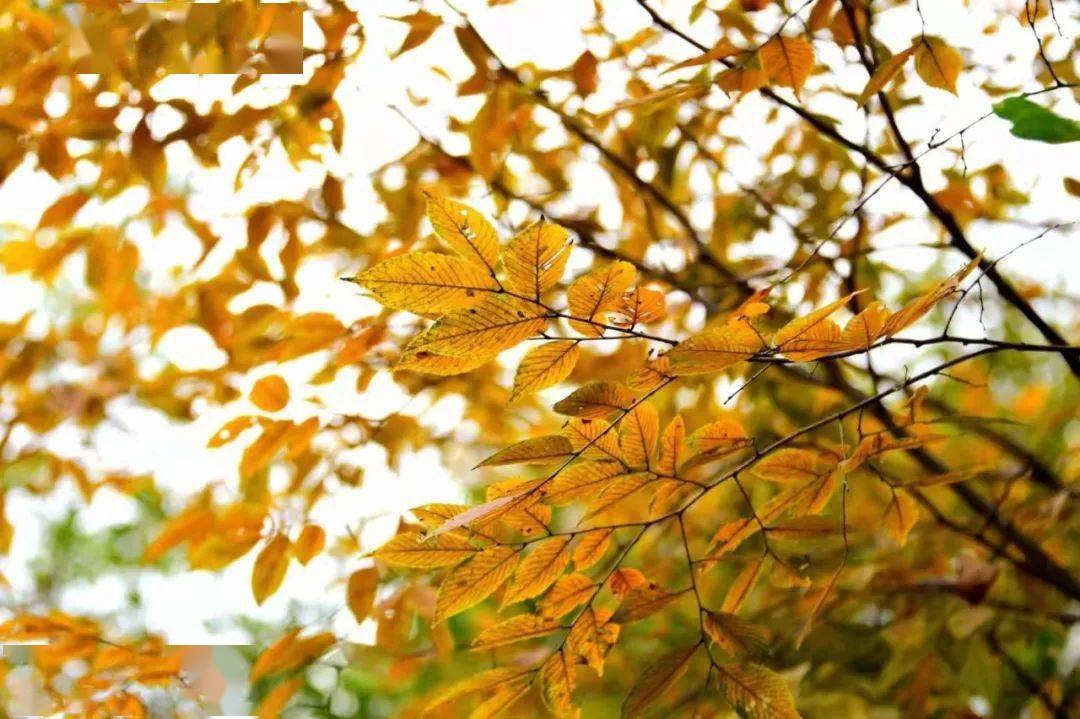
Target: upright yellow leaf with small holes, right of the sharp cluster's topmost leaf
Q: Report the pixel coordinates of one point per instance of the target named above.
(536, 259)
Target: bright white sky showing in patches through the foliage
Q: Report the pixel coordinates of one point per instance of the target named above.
(545, 32)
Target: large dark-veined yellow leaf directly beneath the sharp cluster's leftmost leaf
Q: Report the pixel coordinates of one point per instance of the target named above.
(497, 323)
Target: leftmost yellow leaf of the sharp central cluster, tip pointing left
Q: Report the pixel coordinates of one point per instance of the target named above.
(427, 283)
